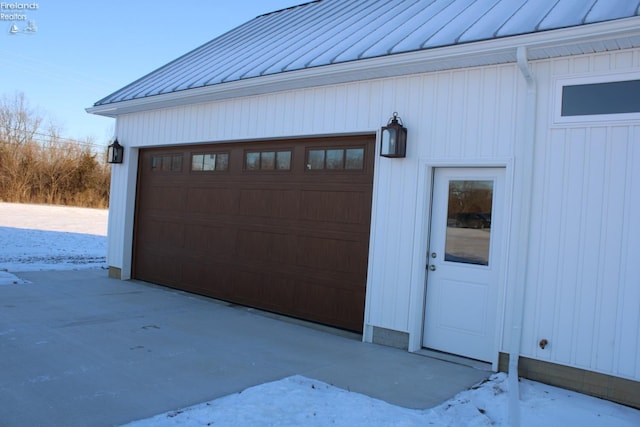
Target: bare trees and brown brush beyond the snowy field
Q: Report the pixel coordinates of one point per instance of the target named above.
(40, 166)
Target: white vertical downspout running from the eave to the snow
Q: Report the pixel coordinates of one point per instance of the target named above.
(526, 152)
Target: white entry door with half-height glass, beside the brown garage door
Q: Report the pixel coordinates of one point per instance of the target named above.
(463, 261)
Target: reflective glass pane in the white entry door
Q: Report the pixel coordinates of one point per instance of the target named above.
(469, 222)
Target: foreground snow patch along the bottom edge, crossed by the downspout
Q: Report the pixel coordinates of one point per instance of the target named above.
(300, 401)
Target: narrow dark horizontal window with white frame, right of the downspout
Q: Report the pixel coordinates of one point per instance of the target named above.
(600, 98)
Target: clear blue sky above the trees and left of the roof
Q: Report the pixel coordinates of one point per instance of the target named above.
(64, 55)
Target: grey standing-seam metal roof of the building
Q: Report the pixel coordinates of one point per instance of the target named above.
(325, 32)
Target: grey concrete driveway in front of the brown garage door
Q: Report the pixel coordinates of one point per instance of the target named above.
(80, 349)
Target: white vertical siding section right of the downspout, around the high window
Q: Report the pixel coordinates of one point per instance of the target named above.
(583, 287)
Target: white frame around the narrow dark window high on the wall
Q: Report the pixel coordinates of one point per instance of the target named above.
(561, 82)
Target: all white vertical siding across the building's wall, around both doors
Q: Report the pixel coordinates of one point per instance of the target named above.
(583, 282)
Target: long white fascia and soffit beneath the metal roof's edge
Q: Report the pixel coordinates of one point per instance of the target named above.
(494, 51)
